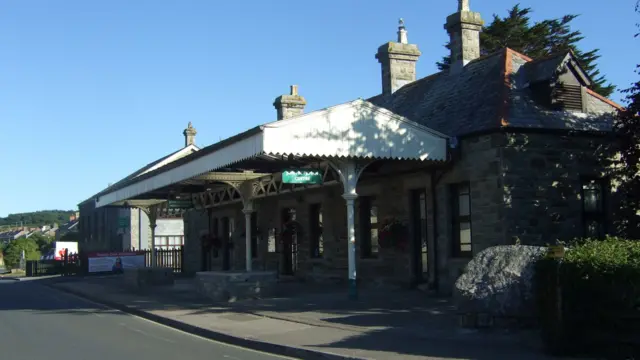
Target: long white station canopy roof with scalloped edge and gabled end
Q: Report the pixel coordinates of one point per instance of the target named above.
(357, 129)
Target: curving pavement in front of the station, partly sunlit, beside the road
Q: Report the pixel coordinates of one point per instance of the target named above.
(321, 325)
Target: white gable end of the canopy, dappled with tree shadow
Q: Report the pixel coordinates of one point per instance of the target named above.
(357, 128)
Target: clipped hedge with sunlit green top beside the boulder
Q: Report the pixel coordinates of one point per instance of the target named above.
(599, 283)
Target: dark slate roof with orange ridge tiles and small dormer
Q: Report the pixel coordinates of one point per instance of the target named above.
(491, 93)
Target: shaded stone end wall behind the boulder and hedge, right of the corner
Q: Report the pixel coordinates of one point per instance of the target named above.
(542, 185)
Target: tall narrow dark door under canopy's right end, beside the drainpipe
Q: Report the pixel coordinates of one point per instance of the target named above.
(419, 248)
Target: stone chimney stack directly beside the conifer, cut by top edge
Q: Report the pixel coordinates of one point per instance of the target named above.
(464, 32)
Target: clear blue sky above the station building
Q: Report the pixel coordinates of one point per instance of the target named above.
(92, 90)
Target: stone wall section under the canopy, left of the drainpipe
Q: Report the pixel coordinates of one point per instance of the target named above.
(391, 267)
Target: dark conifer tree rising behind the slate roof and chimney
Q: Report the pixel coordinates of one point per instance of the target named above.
(538, 40)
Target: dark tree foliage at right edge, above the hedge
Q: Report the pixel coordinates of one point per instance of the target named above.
(625, 171)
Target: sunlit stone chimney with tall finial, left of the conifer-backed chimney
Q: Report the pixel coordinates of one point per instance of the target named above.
(398, 62)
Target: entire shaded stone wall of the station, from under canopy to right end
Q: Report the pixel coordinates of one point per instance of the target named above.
(524, 188)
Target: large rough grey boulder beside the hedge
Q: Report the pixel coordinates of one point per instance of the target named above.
(499, 282)
